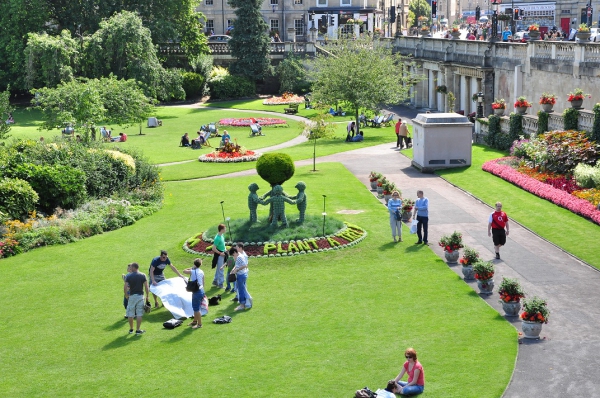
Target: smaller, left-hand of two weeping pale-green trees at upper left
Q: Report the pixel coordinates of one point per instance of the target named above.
(50, 59)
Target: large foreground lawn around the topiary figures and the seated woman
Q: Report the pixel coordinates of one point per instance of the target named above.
(323, 325)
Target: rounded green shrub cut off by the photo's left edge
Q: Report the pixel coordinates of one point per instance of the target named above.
(17, 198)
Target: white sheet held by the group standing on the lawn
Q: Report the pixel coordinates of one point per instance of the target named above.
(176, 299)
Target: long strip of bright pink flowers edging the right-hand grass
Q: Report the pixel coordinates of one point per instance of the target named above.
(542, 190)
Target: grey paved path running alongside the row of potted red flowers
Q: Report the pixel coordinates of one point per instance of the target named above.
(564, 362)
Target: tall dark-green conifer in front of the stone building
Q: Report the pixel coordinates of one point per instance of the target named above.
(250, 41)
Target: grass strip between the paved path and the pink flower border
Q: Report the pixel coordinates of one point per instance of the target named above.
(569, 231)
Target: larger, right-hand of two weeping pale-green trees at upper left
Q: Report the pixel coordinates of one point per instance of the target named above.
(123, 46)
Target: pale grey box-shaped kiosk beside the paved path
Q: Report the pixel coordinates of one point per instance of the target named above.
(441, 141)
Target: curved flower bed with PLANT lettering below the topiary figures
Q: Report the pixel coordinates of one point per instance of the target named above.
(347, 236)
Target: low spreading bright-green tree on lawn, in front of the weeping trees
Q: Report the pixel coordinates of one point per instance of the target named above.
(85, 104)
